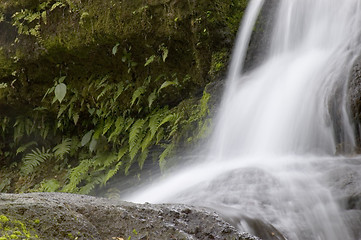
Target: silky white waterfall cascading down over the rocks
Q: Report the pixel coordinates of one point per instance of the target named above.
(275, 126)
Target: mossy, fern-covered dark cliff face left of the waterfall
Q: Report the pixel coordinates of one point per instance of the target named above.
(94, 87)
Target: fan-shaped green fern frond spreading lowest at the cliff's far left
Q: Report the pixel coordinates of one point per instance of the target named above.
(34, 159)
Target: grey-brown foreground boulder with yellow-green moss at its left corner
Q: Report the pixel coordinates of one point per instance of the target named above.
(68, 216)
